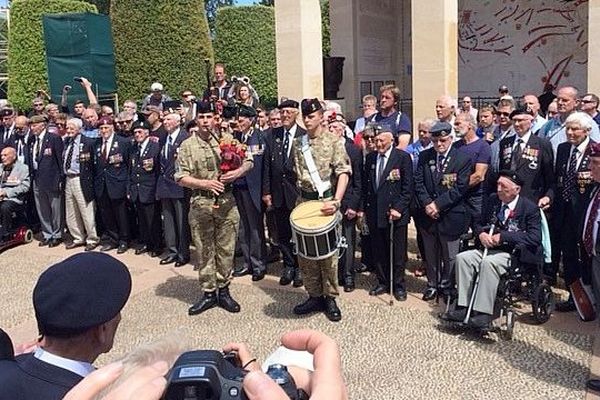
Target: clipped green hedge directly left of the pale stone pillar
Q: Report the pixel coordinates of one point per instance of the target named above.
(245, 42)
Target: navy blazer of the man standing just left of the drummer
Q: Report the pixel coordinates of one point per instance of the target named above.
(279, 177)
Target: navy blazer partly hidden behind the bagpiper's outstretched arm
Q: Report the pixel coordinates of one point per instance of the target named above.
(256, 146)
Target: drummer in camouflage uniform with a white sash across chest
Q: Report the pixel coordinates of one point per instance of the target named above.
(326, 181)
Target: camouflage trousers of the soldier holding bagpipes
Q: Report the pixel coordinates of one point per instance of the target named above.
(214, 232)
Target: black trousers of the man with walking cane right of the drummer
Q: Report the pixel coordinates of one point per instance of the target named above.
(380, 240)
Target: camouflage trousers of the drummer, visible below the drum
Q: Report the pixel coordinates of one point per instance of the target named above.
(320, 276)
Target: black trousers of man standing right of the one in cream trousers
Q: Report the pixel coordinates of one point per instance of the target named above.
(114, 218)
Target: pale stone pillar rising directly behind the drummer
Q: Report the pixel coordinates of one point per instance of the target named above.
(299, 54)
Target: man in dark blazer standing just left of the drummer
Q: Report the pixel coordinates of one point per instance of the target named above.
(279, 190)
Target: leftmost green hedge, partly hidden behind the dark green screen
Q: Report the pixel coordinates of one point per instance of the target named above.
(27, 68)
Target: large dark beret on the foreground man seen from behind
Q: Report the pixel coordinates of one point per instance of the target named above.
(79, 293)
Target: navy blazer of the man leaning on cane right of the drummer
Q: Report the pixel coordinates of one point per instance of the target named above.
(393, 192)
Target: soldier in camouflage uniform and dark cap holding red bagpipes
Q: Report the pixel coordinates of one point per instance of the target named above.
(213, 216)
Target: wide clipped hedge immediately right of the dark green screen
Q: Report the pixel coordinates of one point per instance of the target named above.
(164, 41)
